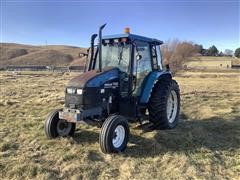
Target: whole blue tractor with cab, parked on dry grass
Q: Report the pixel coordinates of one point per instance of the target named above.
(124, 80)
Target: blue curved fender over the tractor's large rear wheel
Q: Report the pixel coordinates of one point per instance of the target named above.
(149, 83)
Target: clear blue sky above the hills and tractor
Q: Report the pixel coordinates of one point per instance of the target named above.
(72, 22)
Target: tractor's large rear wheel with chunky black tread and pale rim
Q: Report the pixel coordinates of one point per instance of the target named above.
(164, 104)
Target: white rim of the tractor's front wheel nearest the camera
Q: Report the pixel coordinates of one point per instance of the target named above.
(119, 136)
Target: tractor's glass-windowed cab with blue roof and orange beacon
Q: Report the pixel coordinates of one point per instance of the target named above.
(135, 56)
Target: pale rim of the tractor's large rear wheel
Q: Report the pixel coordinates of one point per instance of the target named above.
(172, 106)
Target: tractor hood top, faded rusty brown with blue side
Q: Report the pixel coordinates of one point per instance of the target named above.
(93, 78)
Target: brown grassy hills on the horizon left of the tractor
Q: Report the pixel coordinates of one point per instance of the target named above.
(52, 55)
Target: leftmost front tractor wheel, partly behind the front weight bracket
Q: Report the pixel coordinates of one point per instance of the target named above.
(55, 127)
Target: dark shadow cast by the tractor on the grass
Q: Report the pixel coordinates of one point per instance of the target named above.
(214, 134)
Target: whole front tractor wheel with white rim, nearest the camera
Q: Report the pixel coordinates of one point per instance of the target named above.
(114, 134)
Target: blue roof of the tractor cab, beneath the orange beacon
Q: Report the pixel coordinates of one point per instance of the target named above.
(133, 37)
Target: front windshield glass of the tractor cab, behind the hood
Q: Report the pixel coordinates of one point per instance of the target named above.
(116, 55)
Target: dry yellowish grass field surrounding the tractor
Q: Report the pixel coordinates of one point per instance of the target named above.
(205, 144)
